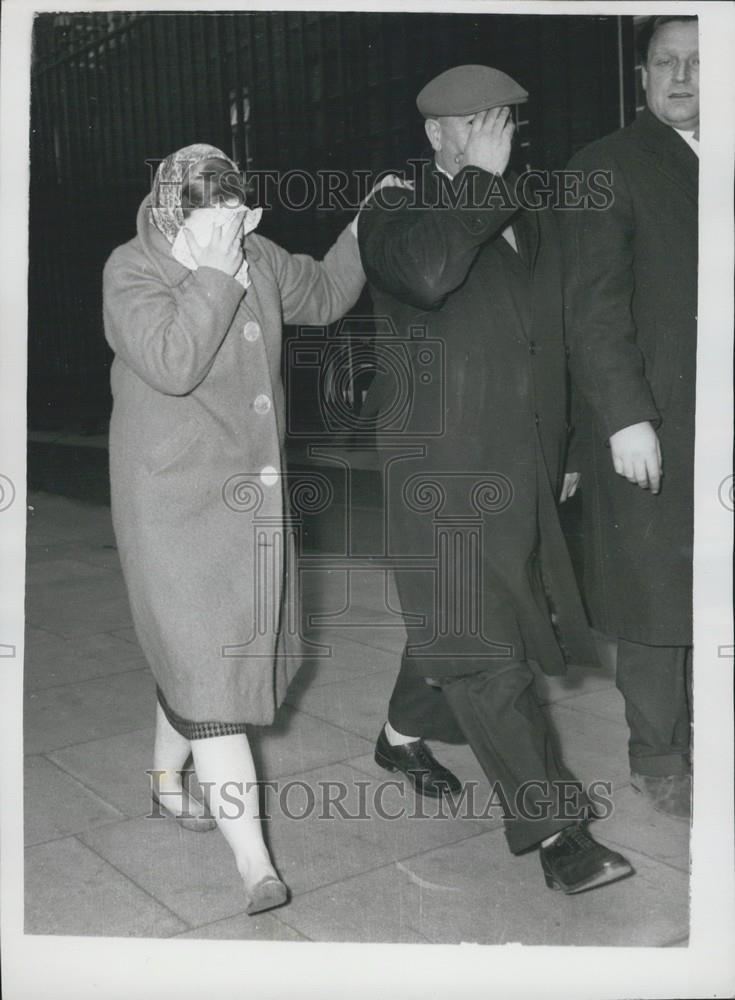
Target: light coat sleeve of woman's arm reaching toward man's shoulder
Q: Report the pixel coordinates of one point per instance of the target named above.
(315, 291)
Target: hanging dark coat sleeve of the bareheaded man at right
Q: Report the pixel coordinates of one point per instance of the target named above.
(605, 361)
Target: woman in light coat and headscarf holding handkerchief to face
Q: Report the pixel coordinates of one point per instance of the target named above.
(193, 309)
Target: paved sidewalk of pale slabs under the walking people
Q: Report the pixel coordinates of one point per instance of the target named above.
(96, 865)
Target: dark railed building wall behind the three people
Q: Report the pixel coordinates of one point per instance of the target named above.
(324, 91)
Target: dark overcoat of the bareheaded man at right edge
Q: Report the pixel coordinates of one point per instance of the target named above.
(632, 331)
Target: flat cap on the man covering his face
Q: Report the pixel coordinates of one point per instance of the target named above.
(464, 90)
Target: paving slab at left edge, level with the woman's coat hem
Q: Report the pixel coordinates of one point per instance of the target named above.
(73, 713)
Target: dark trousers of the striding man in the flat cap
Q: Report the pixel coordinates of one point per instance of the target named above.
(496, 711)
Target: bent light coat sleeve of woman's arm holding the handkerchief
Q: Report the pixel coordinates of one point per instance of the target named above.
(168, 337)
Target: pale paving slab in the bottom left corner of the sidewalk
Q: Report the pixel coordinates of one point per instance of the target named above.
(71, 890)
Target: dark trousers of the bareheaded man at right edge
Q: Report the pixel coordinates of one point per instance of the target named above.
(655, 682)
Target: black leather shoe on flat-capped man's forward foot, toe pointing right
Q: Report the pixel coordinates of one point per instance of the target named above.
(575, 862)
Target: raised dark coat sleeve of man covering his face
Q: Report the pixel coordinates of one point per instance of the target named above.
(420, 253)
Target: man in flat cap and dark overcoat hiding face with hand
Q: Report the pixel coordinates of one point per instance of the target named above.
(473, 470)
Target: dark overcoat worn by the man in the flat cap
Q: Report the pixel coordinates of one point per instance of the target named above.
(472, 426)
